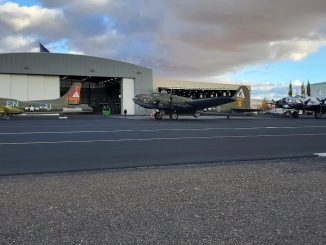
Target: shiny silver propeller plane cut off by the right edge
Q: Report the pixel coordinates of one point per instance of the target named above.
(300, 105)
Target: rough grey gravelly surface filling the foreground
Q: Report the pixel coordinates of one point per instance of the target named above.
(262, 202)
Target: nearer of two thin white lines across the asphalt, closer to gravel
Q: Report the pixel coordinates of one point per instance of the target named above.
(159, 138)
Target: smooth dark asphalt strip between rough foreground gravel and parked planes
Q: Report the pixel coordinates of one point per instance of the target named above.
(36, 145)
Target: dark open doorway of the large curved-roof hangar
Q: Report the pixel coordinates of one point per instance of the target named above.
(97, 92)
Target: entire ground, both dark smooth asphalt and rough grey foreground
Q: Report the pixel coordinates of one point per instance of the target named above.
(169, 200)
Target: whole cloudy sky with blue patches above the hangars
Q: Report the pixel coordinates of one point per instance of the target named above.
(263, 43)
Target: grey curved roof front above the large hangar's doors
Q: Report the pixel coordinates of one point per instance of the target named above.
(69, 64)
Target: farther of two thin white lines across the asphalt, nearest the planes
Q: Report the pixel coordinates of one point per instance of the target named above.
(150, 130)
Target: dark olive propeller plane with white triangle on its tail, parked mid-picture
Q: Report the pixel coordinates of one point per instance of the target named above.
(173, 105)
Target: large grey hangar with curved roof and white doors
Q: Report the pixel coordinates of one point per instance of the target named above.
(37, 76)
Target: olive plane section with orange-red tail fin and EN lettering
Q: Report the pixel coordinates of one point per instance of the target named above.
(67, 104)
